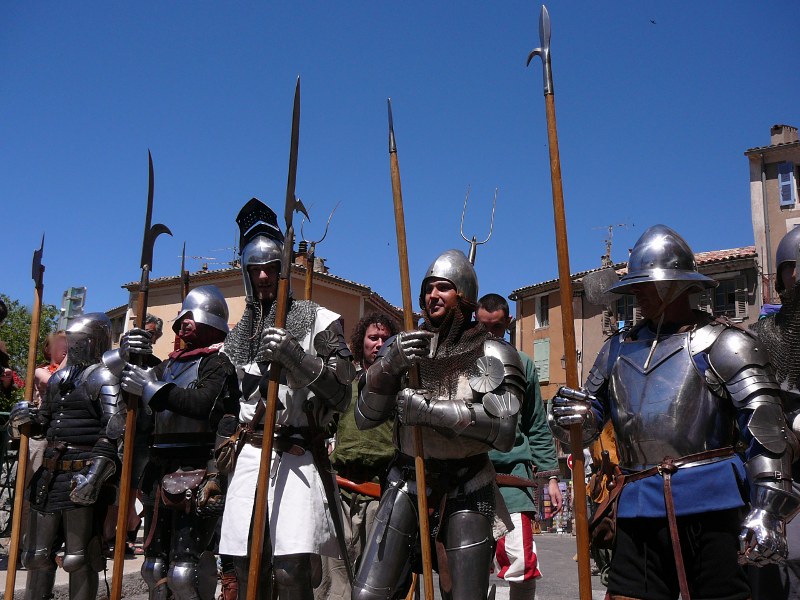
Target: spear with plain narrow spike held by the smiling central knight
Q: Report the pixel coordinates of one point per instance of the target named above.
(413, 374)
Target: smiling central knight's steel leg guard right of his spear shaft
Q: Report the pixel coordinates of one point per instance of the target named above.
(468, 542)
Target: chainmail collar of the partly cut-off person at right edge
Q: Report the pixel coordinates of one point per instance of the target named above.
(780, 332)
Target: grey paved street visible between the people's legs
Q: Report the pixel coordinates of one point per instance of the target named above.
(559, 580)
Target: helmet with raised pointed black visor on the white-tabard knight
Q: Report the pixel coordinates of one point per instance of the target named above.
(260, 239)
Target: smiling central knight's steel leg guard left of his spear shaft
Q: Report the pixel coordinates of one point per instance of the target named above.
(385, 563)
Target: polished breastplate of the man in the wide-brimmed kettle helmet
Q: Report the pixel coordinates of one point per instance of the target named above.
(666, 409)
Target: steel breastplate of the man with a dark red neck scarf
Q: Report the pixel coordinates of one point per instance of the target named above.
(173, 430)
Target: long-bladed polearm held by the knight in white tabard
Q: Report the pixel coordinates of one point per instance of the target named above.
(282, 307)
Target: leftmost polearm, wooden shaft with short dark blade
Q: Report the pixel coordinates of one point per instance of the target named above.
(37, 272)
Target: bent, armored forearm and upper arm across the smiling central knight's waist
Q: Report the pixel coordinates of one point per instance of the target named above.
(498, 389)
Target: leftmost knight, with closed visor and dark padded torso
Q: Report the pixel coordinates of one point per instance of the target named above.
(69, 493)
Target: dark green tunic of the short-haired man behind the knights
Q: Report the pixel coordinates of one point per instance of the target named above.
(534, 444)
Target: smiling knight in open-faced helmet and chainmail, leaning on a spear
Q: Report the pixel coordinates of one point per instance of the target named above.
(472, 386)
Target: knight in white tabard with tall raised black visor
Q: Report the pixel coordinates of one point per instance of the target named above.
(316, 373)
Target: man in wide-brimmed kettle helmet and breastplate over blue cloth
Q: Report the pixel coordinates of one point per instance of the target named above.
(677, 387)
